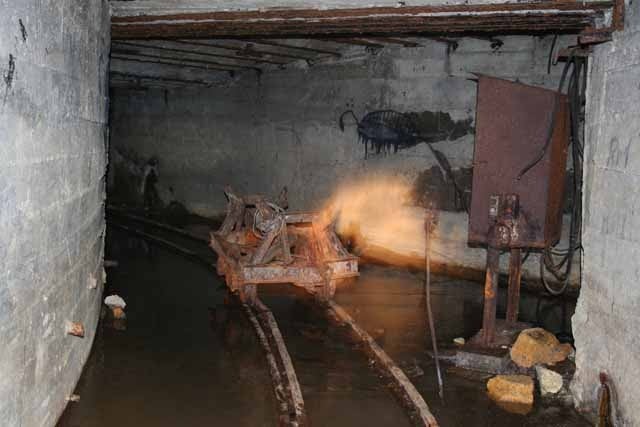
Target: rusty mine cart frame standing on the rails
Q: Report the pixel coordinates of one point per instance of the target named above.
(260, 242)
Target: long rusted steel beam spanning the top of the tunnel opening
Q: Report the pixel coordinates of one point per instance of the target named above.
(563, 15)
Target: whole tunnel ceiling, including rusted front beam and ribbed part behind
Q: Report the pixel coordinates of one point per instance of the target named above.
(173, 42)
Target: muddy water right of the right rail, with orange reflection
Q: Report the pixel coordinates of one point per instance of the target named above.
(392, 301)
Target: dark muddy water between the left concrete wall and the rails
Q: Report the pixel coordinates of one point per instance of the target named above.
(182, 361)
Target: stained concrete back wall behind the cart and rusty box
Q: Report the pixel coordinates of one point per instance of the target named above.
(281, 129)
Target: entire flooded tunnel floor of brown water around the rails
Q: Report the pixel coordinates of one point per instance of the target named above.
(188, 357)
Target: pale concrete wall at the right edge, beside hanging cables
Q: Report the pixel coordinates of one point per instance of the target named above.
(607, 318)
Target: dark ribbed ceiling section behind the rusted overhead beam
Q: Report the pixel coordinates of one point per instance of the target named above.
(162, 62)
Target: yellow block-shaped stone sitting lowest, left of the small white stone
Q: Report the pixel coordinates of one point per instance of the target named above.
(513, 393)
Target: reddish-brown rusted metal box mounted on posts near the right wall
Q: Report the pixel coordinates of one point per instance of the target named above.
(512, 127)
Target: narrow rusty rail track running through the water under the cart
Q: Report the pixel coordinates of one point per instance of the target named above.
(286, 388)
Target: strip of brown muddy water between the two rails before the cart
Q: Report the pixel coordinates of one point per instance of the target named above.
(338, 386)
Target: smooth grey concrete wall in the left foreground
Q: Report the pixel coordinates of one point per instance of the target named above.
(53, 113)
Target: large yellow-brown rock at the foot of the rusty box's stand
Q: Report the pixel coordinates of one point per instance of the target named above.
(536, 346)
